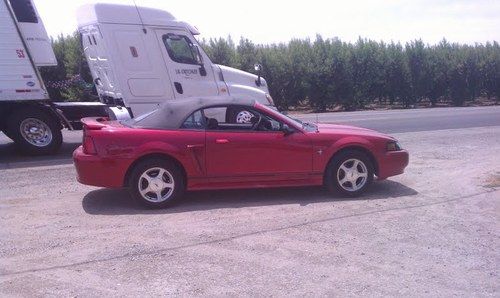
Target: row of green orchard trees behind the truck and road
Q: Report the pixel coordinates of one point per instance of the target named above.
(328, 73)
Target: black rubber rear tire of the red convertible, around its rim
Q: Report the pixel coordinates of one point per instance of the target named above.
(147, 167)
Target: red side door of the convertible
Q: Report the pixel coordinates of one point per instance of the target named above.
(237, 155)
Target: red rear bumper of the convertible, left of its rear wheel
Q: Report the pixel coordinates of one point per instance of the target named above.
(97, 171)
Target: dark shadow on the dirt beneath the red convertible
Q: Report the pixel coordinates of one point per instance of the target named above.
(119, 201)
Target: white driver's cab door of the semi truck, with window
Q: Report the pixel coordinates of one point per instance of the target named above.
(187, 76)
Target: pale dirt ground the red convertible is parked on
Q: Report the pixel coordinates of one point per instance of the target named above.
(432, 231)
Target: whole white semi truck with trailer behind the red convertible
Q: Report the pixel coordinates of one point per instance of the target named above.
(139, 57)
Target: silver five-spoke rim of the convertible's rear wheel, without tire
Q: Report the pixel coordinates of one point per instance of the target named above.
(156, 185)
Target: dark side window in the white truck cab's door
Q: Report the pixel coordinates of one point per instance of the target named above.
(179, 48)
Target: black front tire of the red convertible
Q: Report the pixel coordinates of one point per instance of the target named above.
(333, 175)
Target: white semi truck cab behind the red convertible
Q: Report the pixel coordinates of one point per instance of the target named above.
(140, 57)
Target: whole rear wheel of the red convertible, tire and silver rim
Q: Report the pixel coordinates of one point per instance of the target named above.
(157, 183)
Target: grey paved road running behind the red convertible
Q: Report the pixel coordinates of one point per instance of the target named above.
(390, 121)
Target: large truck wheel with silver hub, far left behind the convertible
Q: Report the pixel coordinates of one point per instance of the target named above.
(35, 132)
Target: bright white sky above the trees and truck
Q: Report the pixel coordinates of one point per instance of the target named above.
(268, 21)
